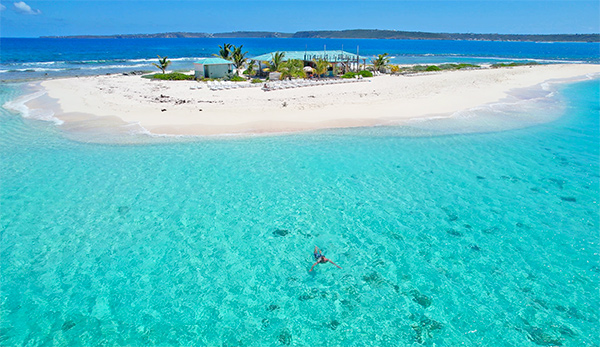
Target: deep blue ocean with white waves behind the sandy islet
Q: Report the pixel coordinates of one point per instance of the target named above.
(23, 59)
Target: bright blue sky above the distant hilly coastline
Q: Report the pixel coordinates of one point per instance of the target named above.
(95, 17)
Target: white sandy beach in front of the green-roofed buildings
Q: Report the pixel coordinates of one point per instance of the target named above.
(382, 100)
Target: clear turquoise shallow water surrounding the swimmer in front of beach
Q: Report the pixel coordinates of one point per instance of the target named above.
(486, 239)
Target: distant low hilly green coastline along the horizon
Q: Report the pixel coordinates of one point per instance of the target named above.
(357, 34)
